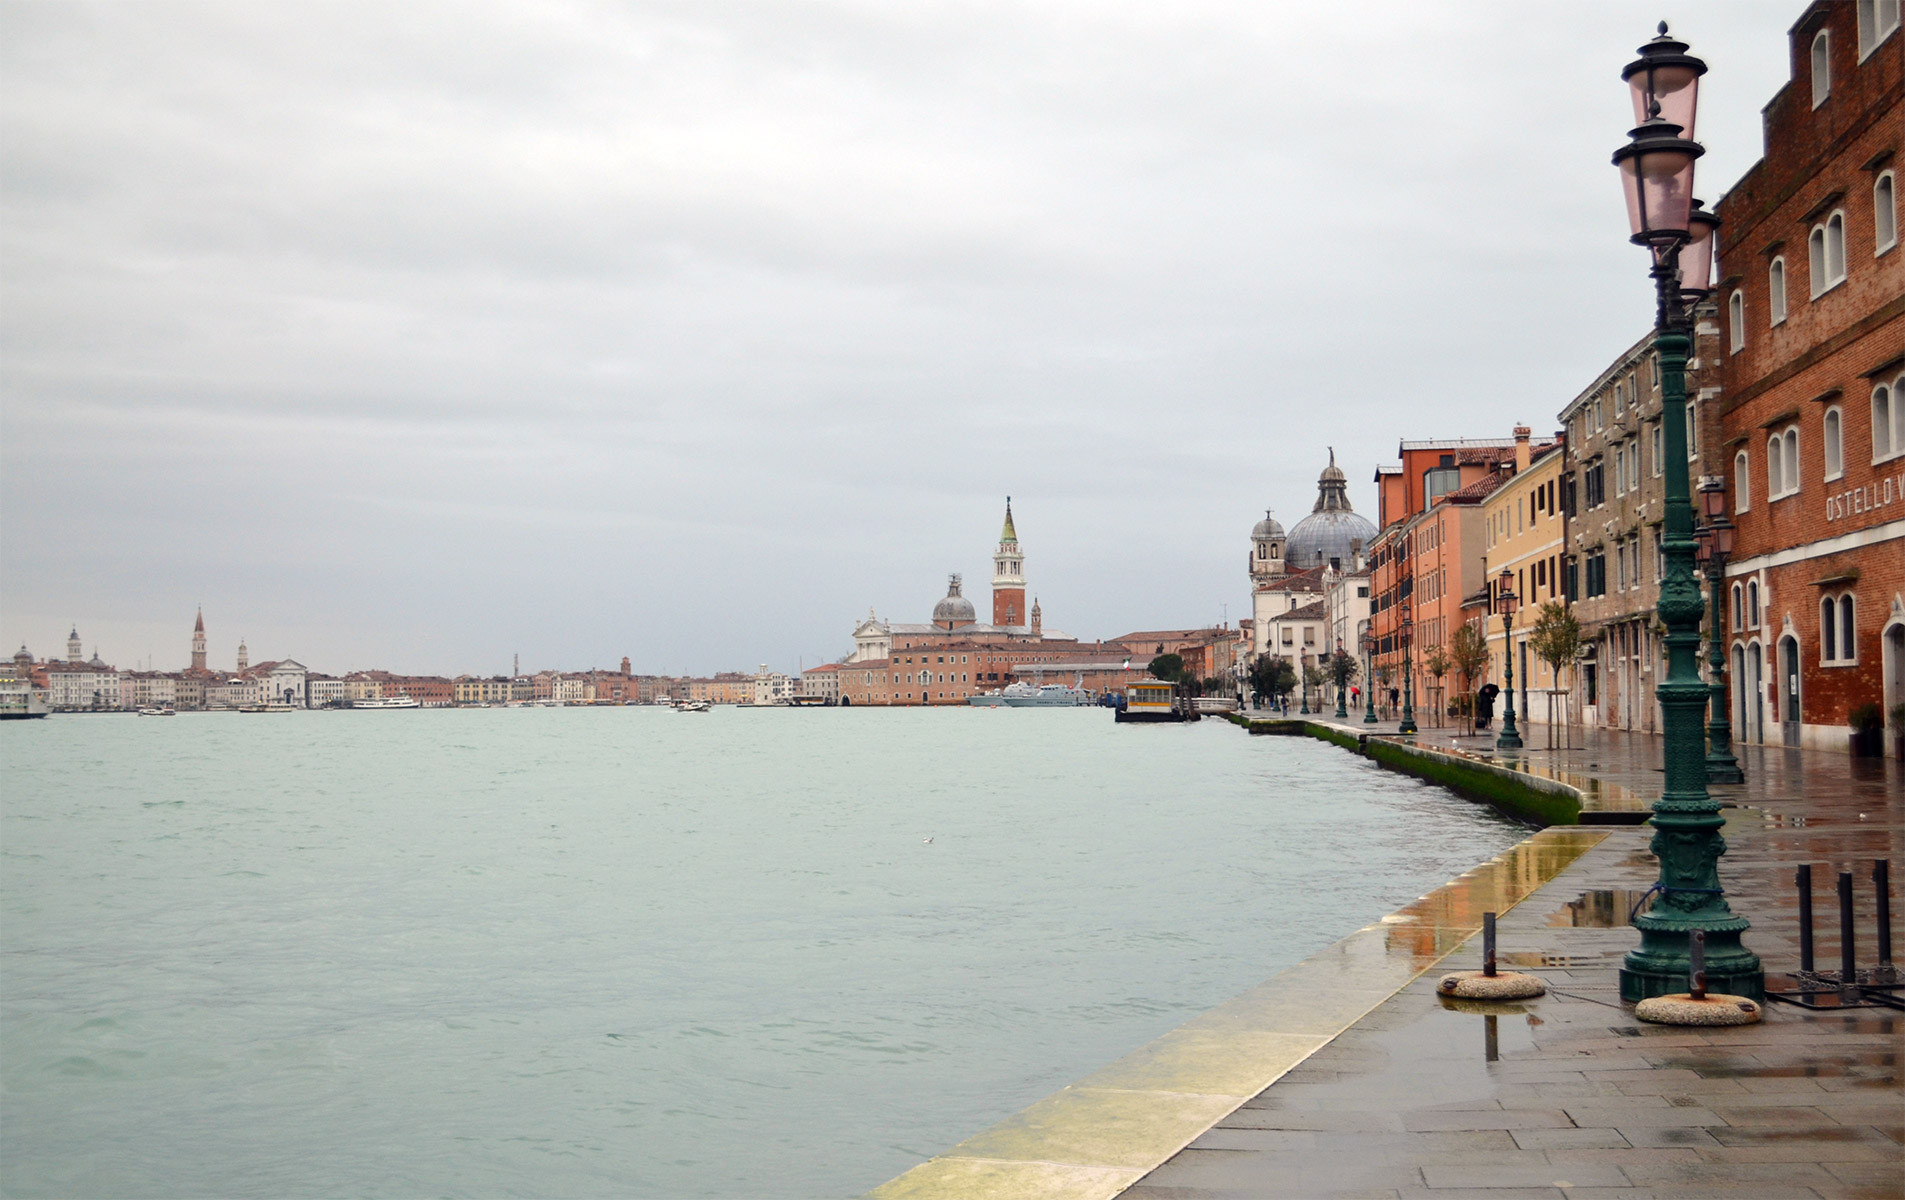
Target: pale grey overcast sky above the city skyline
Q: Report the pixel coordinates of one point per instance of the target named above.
(418, 336)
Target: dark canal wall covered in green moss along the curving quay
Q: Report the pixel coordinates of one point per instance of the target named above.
(1515, 788)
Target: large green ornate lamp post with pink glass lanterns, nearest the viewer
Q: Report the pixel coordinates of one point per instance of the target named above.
(1658, 178)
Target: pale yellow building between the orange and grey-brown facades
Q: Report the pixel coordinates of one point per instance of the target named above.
(1525, 532)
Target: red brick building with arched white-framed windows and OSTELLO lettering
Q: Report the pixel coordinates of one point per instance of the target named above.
(1813, 306)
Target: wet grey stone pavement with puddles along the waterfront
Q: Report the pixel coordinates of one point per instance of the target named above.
(1569, 1094)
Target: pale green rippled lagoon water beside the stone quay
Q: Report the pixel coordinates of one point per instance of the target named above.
(637, 953)
